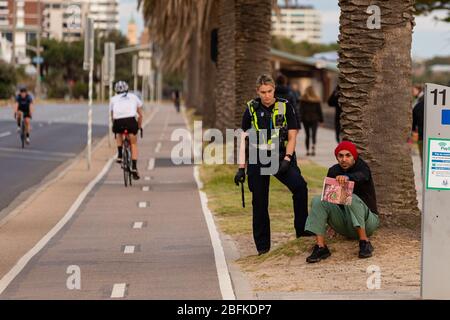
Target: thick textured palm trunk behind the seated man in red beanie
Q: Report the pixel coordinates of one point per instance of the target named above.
(375, 85)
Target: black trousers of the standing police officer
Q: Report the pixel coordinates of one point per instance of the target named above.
(259, 186)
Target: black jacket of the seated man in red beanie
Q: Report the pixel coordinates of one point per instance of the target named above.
(364, 188)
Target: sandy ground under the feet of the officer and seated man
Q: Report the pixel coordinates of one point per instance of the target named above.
(397, 254)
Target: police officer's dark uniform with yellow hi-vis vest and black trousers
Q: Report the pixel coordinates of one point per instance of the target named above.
(277, 120)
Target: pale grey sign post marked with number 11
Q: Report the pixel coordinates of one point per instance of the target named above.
(435, 282)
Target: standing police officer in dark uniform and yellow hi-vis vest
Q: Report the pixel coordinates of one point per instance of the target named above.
(270, 118)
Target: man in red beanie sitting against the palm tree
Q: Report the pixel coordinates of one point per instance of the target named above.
(356, 221)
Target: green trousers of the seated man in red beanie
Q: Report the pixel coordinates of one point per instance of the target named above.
(343, 221)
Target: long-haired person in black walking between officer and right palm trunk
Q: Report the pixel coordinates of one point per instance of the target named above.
(311, 115)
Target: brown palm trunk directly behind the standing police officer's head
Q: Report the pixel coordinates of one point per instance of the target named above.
(244, 47)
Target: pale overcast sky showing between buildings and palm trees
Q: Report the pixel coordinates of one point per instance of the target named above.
(430, 38)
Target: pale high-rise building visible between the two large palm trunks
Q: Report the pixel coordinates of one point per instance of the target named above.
(298, 23)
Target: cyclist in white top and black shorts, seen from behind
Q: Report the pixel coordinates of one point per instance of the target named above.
(124, 108)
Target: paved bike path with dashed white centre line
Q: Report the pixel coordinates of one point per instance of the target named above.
(149, 241)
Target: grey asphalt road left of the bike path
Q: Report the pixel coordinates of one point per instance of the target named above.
(59, 132)
